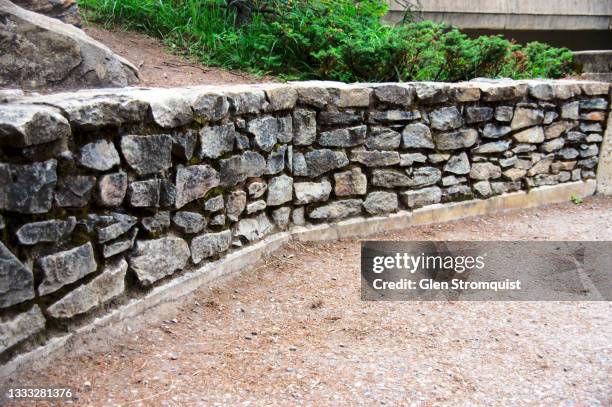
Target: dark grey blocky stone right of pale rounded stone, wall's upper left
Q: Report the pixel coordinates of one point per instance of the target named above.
(147, 154)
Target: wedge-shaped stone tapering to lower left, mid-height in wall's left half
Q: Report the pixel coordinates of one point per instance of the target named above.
(193, 182)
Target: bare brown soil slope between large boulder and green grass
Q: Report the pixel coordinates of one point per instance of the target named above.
(159, 67)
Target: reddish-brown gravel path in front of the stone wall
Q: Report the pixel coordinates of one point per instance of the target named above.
(294, 332)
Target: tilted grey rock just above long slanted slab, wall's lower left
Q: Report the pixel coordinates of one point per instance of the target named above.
(65, 267)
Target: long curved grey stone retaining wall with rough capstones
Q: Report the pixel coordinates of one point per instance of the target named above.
(105, 195)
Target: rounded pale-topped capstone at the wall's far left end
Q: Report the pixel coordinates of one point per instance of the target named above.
(27, 125)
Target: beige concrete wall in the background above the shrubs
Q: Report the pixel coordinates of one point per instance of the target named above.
(515, 14)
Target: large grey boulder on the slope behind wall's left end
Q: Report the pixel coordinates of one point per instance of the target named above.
(39, 51)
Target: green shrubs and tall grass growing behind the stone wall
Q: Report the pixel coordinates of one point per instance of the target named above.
(330, 39)
